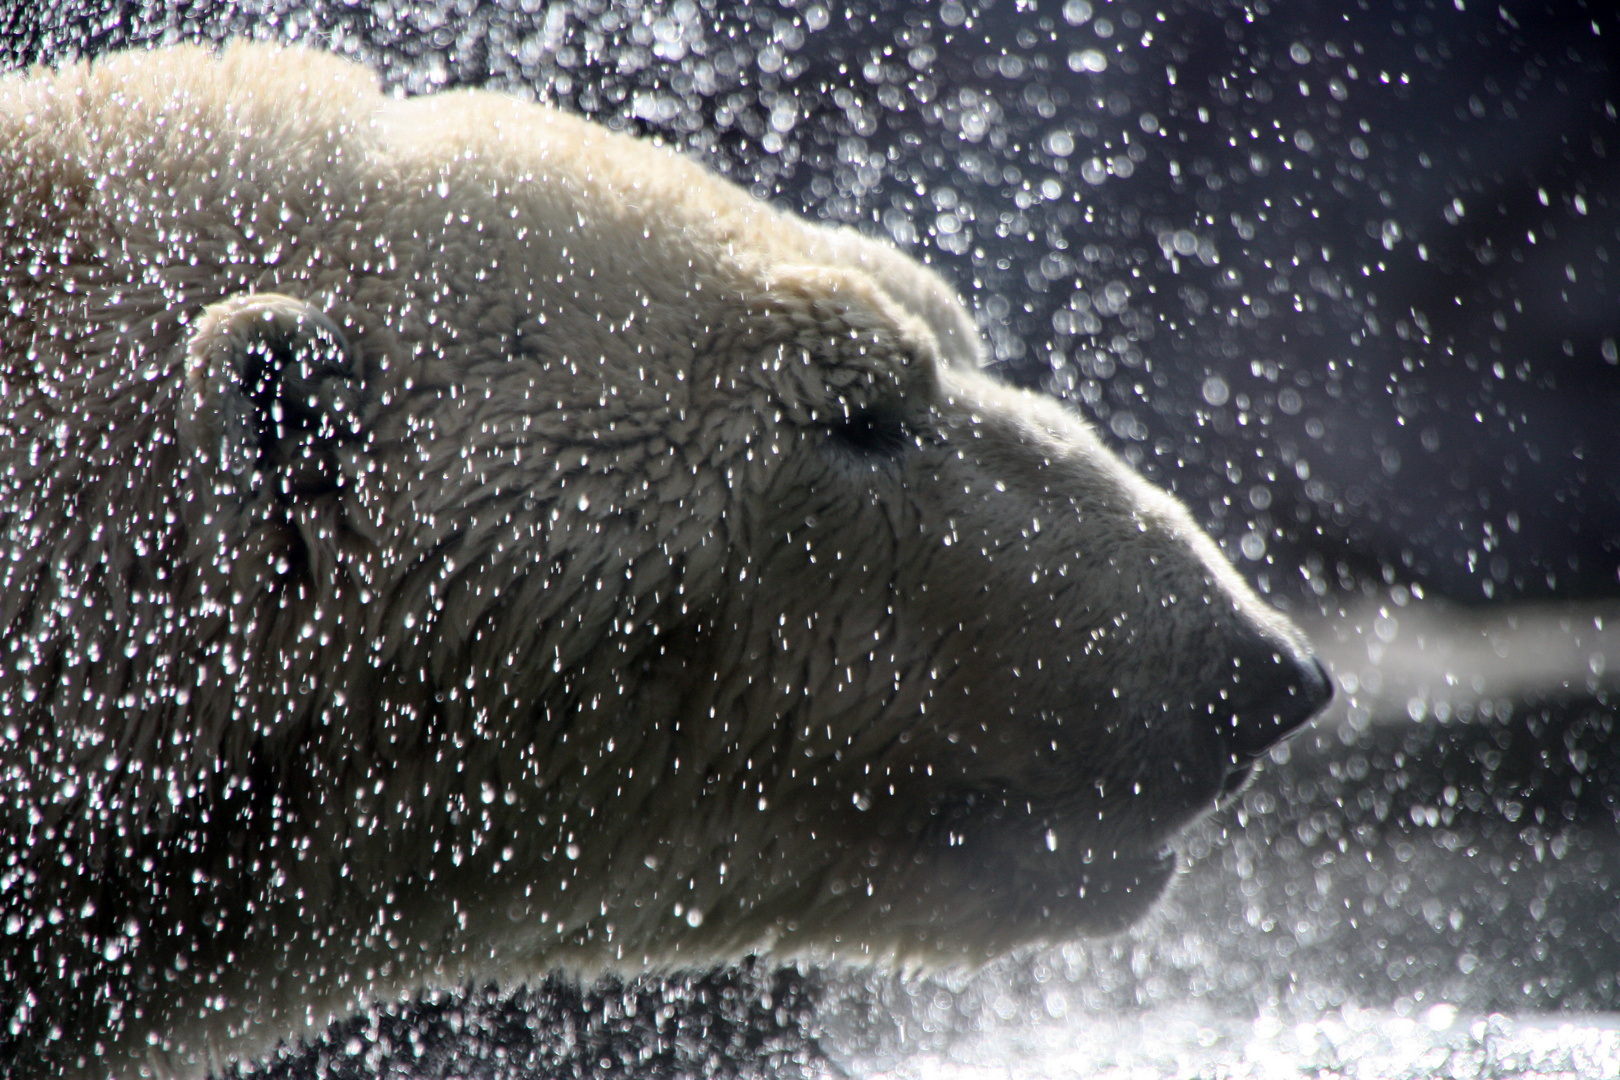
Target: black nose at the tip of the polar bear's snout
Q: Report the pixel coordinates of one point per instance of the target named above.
(1273, 694)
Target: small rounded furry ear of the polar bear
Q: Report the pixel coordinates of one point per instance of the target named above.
(271, 391)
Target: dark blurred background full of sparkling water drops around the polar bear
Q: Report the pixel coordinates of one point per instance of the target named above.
(1339, 274)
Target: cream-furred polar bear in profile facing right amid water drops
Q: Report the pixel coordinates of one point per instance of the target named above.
(446, 540)
